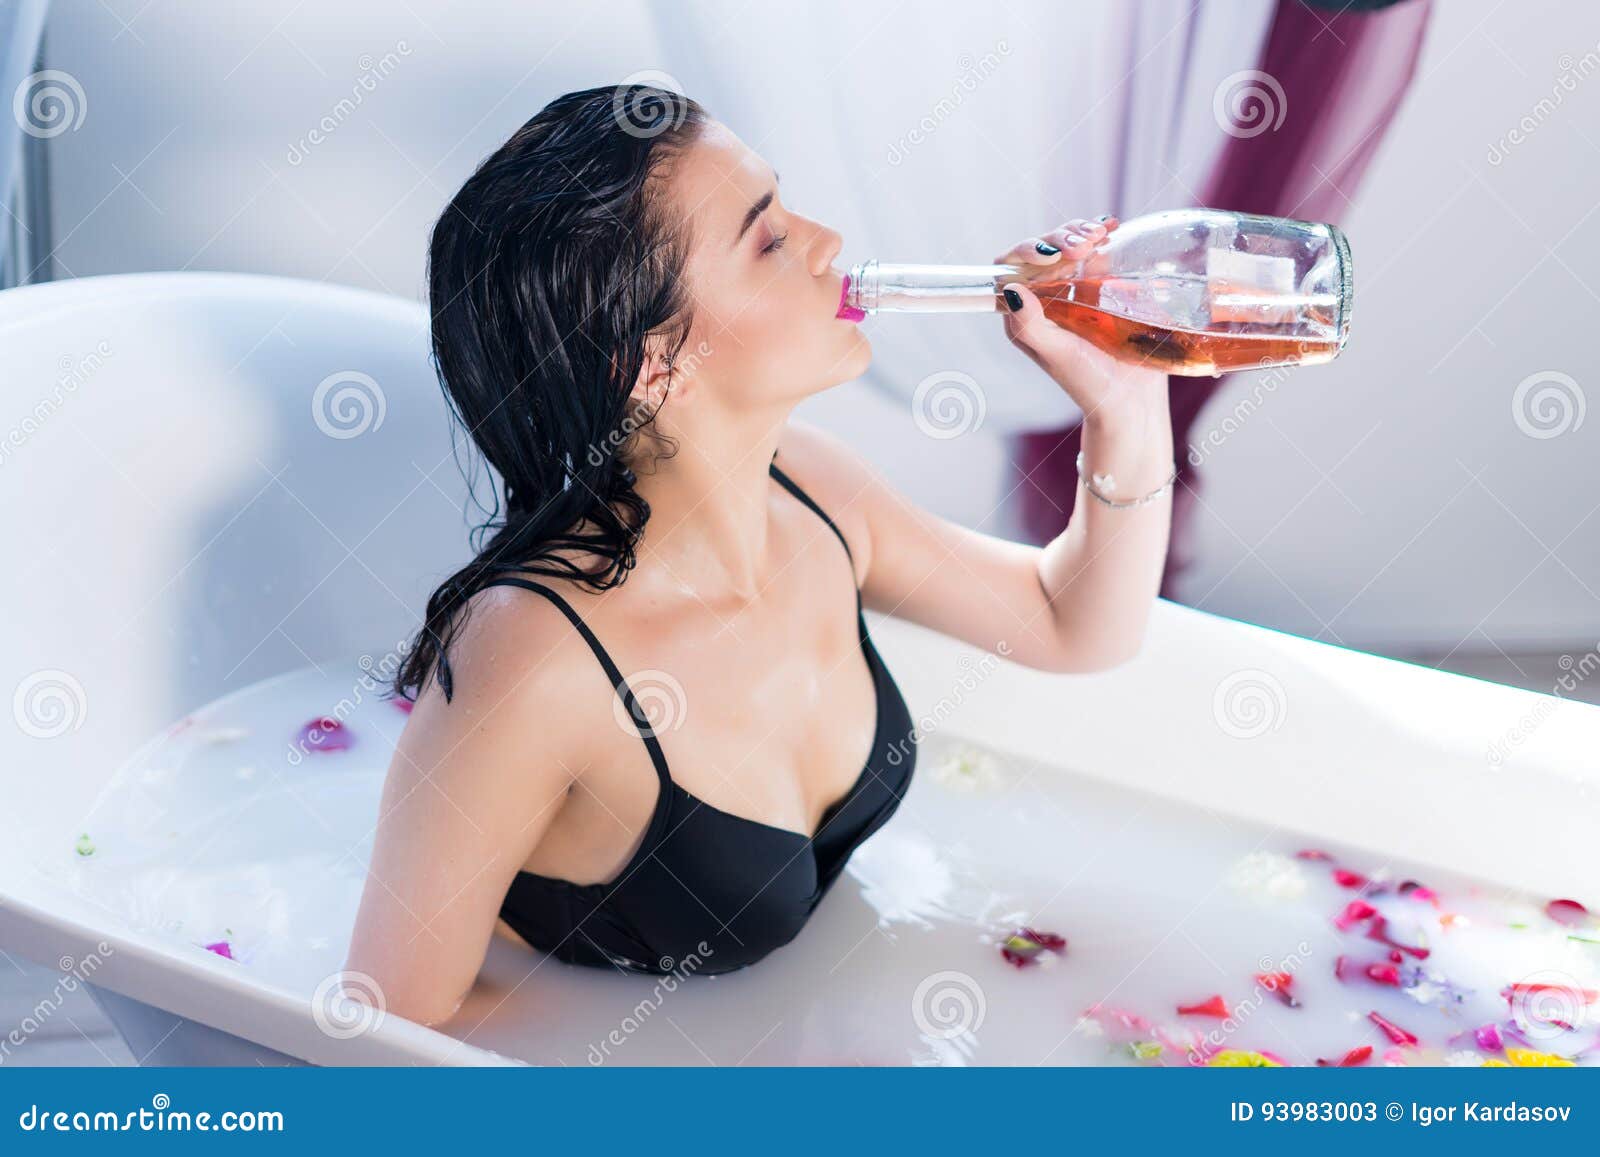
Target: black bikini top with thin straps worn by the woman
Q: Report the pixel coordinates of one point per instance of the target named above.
(703, 876)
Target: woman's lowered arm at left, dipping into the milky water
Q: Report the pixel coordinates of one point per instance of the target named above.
(471, 791)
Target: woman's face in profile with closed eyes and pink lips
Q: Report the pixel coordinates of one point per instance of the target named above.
(762, 282)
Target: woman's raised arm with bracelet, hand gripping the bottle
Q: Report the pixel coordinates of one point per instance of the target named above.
(1082, 603)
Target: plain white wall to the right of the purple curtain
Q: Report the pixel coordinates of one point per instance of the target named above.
(1393, 498)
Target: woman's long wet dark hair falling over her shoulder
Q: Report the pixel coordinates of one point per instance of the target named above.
(546, 276)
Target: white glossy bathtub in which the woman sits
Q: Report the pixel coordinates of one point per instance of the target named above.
(182, 526)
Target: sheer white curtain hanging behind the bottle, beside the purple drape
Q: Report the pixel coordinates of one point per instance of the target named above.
(945, 132)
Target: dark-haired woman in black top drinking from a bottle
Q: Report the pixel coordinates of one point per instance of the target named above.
(668, 774)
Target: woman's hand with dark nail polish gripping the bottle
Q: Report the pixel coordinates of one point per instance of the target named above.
(1102, 385)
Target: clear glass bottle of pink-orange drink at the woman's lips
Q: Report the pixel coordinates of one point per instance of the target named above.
(1191, 292)
